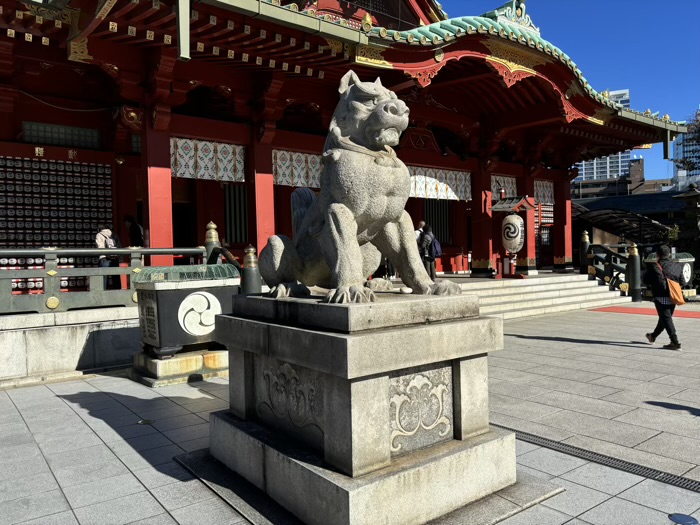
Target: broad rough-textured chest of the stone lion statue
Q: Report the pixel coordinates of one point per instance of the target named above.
(372, 190)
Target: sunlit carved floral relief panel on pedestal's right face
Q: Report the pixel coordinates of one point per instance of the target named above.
(420, 408)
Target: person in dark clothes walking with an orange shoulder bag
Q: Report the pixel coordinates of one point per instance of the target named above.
(655, 279)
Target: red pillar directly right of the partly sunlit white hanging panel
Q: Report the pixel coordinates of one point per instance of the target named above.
(482, 225)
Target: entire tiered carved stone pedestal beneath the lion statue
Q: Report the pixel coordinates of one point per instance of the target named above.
(362, 414)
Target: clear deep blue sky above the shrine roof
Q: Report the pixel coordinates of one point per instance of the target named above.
(649, 47)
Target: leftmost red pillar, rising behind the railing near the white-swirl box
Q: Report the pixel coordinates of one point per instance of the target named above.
(160, 199)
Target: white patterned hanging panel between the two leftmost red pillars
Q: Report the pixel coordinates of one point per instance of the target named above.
(206, 160)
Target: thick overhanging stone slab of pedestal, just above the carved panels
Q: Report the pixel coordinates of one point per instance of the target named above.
(365, 353)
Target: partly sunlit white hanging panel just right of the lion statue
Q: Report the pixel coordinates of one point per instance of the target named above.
(435, 183)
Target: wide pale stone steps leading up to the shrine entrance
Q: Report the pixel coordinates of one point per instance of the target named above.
(540, 295)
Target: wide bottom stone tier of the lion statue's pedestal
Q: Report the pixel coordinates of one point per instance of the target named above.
(415, 489)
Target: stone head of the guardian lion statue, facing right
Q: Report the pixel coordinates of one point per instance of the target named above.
(368, 115)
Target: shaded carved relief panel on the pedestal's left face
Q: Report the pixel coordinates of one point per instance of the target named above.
(290, 398)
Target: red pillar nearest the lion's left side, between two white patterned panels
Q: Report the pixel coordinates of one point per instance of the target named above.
(261, 195)
